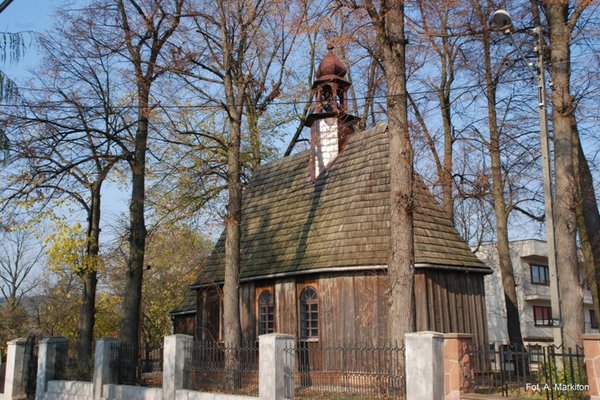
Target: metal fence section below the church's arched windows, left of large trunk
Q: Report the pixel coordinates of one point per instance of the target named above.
(347, 372)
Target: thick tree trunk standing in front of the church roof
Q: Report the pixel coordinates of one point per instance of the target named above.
(400, 290)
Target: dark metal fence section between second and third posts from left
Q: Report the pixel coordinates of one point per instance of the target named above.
(78, 362)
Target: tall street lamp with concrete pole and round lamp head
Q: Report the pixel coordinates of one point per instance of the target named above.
(502, 20)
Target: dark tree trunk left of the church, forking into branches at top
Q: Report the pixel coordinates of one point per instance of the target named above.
(143, 51)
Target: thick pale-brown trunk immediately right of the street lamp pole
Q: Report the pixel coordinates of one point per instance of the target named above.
(563, 111)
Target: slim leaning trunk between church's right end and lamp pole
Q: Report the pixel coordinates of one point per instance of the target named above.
(500, 207)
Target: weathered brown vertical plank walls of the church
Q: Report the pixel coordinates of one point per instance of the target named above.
(353, 309)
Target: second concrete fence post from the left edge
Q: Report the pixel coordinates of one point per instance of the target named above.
(52, 356)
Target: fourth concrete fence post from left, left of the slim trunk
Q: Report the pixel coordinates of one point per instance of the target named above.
(177, 356)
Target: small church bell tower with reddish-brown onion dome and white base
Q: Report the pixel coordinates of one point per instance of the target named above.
(330, 124)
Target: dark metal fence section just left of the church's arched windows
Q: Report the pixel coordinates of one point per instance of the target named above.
(216, 368)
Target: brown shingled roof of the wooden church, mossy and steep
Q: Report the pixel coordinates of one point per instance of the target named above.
(291, 224)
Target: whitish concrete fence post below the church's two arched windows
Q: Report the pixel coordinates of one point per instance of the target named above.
(276, 366)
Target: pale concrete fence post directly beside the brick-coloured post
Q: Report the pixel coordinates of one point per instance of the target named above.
(424, 365)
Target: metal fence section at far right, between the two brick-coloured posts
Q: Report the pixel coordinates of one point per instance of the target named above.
(545, 372)
